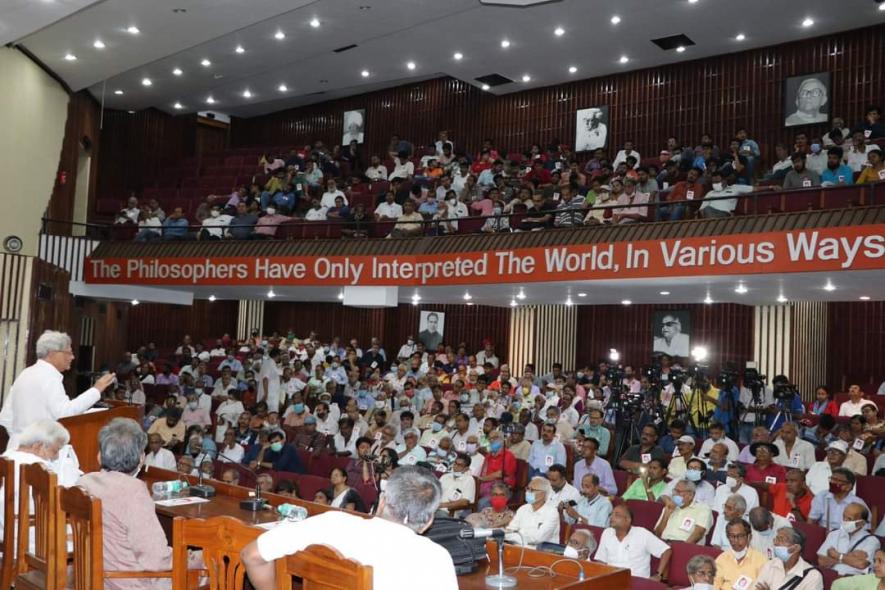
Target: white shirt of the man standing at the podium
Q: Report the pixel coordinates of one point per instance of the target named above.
(39, 394)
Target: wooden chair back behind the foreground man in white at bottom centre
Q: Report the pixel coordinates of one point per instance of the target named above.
(323, 568)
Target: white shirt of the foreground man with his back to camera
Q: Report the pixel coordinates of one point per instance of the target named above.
(397, 555)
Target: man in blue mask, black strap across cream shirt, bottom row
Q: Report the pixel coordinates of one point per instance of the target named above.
(787, 566)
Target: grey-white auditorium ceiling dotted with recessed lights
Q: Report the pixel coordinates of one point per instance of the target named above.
(253, 49)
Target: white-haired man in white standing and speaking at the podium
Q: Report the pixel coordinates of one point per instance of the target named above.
(38, 392)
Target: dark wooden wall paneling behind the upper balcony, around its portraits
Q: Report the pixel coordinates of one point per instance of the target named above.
(715, 95)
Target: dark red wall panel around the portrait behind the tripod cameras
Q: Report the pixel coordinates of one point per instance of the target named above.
(725, 329)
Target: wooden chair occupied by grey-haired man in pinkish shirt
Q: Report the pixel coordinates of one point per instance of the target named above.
(83, 513)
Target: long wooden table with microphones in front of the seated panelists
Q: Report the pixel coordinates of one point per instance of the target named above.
(227, 503)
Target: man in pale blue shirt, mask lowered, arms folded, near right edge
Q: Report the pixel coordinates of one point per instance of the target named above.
(850, 549)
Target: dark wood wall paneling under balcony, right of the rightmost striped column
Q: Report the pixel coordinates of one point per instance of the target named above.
(856, 334)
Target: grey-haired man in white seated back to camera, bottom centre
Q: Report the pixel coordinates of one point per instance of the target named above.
(391, 542)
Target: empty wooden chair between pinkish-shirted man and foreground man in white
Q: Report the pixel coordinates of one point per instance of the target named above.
(221, 538)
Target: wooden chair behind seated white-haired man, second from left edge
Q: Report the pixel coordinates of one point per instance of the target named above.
(43, 568)
